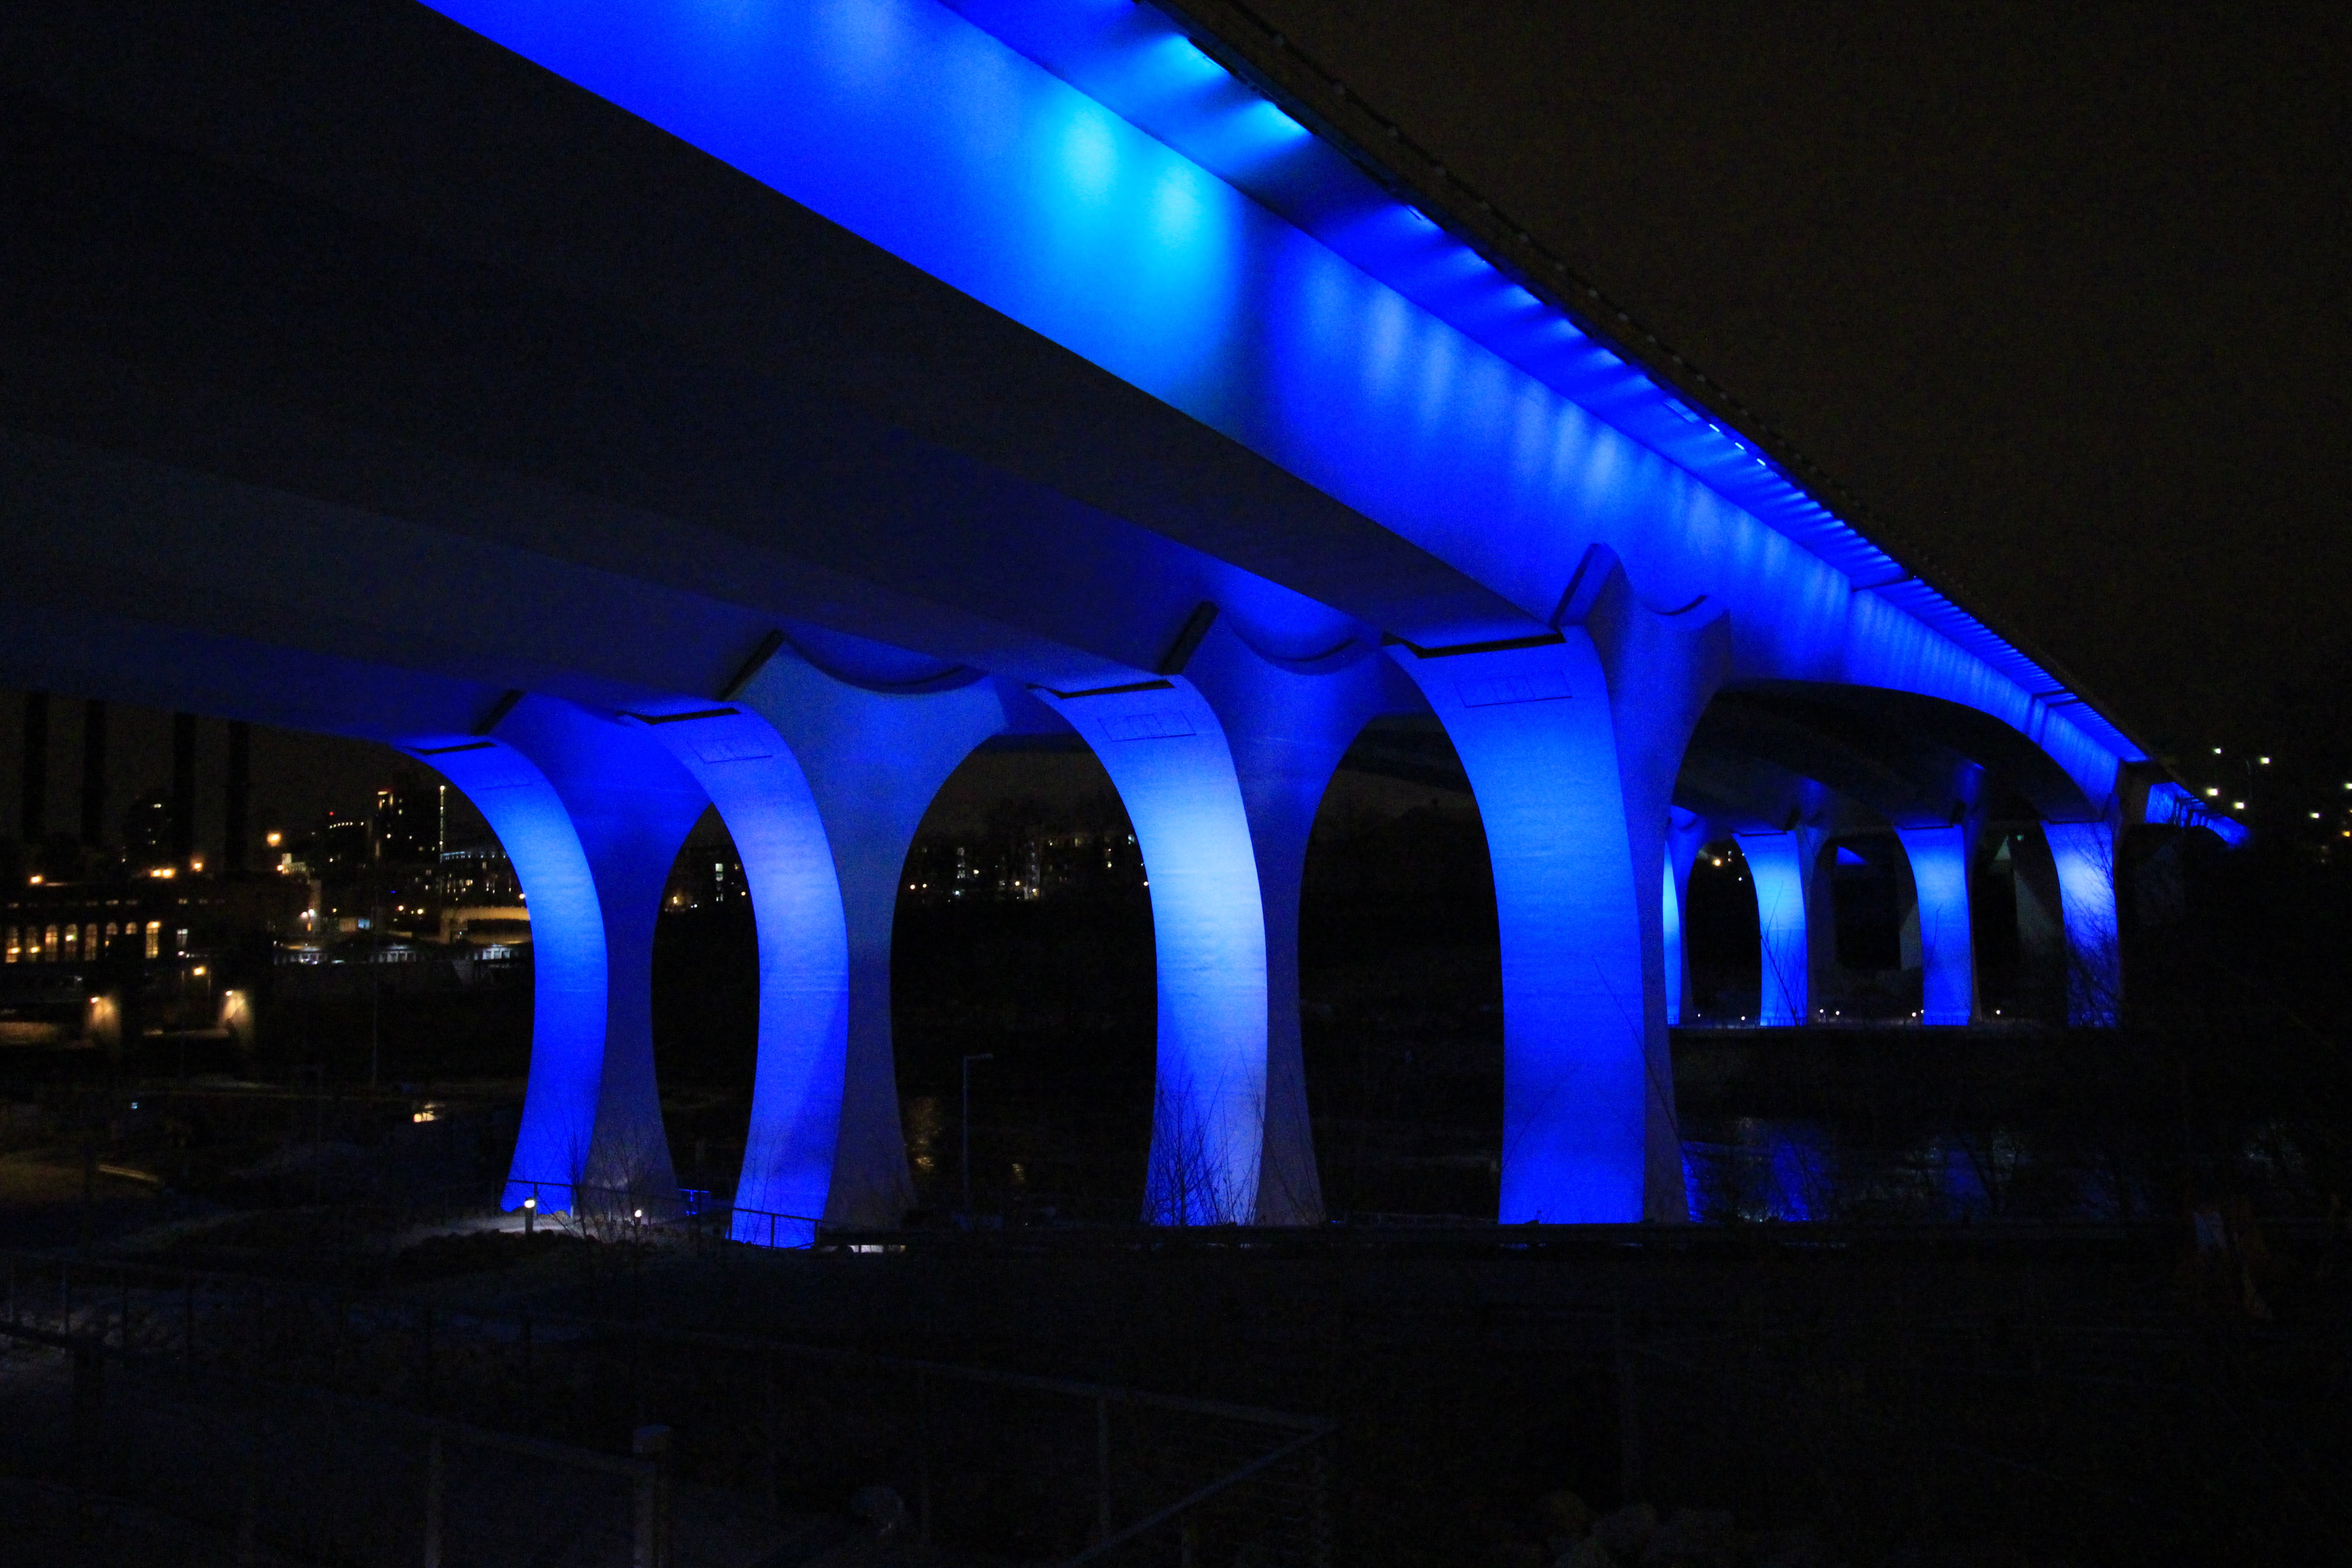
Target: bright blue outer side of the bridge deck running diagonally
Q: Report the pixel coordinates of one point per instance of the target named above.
(1349, 342)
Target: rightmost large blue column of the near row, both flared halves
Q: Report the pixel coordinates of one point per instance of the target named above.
(1572, 751)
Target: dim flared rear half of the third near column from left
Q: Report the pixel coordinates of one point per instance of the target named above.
(1288, 725)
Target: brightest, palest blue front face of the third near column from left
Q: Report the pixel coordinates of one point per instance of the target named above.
(1165, 751)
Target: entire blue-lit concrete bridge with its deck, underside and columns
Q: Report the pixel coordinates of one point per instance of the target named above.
(648, 406)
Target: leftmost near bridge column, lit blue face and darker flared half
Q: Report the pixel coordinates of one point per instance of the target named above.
(592, 817)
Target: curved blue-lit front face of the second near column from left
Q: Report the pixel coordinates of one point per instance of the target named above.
(803, 934)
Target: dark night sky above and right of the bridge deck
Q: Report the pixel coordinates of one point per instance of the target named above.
(2054, 293)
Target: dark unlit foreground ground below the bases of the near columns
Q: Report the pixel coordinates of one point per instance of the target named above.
(2080, 1395)
